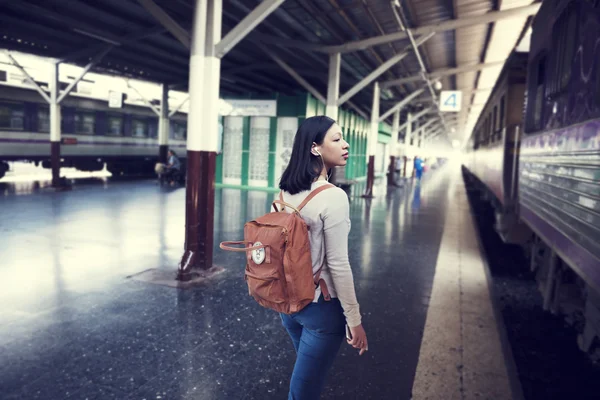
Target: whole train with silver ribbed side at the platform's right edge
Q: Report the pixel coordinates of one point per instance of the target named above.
(534, 154)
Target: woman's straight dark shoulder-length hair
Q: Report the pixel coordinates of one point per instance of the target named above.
(304, 167)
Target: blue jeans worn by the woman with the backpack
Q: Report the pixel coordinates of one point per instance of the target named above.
(317, 331)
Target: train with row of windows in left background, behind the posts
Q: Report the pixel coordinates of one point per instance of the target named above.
(93, 135)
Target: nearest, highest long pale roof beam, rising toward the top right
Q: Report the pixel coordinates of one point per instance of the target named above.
(487, 18)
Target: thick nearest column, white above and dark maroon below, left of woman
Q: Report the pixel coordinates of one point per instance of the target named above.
(202, 141)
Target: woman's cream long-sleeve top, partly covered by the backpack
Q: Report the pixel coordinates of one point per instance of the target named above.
(328, 216)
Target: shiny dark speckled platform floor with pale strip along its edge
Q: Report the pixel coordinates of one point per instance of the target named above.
(73, 326)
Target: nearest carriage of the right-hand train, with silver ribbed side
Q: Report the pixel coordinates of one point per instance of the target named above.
(559, 179)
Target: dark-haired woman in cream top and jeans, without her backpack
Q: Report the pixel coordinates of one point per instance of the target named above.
(318, 330)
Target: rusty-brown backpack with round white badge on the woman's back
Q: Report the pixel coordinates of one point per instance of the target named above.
(279, 266)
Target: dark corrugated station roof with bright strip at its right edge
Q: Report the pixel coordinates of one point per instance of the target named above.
(472, 40)
